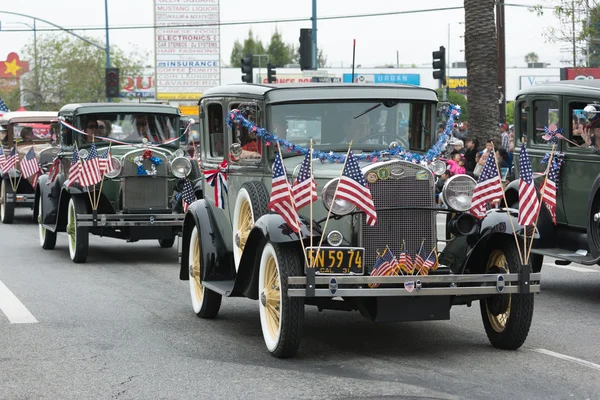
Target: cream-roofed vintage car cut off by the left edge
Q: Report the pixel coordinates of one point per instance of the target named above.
(23, 132)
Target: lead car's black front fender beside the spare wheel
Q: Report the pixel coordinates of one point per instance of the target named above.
(272, 228)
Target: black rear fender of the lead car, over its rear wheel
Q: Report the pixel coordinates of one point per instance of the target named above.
(216, 245)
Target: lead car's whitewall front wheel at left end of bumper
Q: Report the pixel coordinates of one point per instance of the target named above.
(281, 317)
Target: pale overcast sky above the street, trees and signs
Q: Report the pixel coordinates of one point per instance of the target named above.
(415, 36)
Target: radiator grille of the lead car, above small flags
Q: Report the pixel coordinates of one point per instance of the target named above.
(394, 226)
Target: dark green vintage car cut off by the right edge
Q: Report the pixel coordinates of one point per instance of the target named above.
(573, 106)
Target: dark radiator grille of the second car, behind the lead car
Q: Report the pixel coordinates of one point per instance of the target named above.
(142, 193)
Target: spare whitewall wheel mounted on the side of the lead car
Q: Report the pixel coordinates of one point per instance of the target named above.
(250, 205)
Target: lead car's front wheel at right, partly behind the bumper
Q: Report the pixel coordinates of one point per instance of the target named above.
(506, 318)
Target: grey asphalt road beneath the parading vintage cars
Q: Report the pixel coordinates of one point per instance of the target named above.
(121, 327)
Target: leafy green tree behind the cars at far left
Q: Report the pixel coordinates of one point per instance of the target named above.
(71, 70)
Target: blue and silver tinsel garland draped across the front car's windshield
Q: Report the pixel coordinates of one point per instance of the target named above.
(452, 112)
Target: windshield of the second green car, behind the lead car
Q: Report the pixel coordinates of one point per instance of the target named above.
(156, 128)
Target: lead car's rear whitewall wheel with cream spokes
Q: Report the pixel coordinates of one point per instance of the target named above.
(205, 302)
